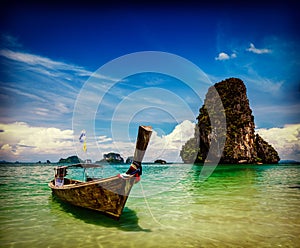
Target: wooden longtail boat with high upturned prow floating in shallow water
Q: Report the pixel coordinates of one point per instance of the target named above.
(107, 195)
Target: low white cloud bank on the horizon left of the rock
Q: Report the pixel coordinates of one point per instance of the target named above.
(22, 142)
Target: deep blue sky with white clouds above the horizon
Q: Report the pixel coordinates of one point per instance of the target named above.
(49, 53)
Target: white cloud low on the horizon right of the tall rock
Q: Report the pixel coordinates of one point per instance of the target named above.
(285, 140)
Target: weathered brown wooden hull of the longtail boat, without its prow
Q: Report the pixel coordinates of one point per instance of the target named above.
(107, 196)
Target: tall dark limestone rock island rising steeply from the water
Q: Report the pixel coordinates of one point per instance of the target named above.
(241, 145)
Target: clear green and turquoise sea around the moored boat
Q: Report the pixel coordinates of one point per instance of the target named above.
(236, 206)
